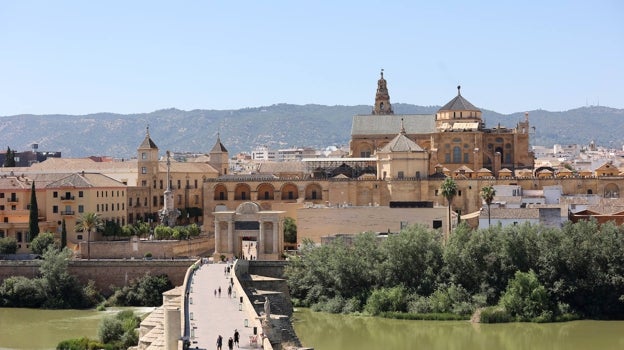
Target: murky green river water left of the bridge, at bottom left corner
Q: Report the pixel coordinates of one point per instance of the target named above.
(43, 329)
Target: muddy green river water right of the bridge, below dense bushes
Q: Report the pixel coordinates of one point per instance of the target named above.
(336, 332)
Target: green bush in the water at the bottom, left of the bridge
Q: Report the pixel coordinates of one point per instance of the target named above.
(116, 332)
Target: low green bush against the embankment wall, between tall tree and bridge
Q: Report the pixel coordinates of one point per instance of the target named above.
(143, 291)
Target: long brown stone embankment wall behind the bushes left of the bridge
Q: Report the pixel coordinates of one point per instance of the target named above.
(104, 272)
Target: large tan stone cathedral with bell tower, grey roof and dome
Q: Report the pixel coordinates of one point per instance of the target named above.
(455, 137)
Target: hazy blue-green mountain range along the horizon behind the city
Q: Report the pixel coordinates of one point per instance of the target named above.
(277, 126)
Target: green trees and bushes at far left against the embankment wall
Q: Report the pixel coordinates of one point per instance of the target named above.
(54, 289)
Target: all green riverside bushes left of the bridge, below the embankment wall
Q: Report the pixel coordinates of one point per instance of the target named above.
(55, 288)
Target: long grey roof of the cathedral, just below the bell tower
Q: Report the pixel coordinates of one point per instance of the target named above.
(391, 124)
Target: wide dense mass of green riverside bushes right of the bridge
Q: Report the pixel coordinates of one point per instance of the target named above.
(515, 273)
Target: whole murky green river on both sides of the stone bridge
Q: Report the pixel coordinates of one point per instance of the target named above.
(32, 329)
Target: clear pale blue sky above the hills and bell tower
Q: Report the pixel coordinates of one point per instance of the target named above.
(83, 57)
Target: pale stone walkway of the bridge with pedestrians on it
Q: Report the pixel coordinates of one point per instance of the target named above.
(216, 315)
